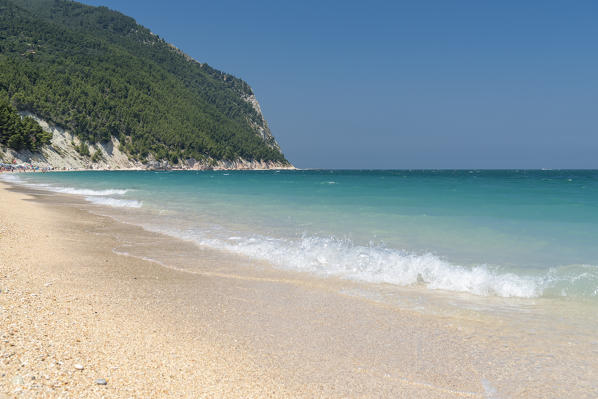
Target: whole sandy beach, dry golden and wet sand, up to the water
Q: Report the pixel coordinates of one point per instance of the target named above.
(74, 313)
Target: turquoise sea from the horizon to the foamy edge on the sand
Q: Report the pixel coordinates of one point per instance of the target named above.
(489, 233)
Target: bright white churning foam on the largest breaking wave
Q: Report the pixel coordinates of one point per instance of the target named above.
(383, 265)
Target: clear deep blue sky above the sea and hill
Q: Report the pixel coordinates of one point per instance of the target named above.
(405, 84)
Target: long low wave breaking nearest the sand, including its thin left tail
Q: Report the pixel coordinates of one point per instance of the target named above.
(379, 264)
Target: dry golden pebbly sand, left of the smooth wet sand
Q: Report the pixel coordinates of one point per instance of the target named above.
(79, 303)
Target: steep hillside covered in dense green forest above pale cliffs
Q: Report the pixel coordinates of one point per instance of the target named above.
(99, 74)
